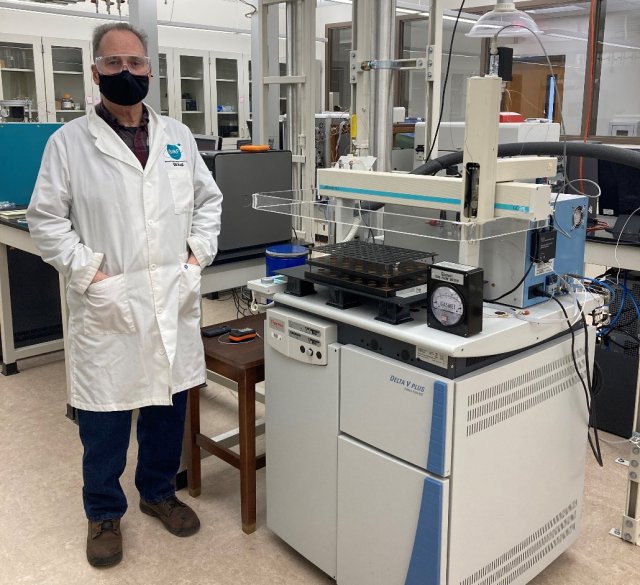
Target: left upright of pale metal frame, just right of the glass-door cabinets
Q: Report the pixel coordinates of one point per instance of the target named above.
(265, 98)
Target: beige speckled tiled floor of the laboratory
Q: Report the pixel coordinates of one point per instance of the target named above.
(43, 529)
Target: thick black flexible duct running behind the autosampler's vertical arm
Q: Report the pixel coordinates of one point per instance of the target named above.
(621, 156)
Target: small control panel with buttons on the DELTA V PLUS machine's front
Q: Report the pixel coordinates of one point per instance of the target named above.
(299, 336)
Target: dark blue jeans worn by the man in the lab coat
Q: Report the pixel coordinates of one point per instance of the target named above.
(105, 438)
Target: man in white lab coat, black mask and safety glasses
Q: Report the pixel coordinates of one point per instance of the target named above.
(125, 208)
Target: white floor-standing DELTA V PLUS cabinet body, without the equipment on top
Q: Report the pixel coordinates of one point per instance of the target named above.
(388, 468)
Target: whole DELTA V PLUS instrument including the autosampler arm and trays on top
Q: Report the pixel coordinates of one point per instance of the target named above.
(417, 434)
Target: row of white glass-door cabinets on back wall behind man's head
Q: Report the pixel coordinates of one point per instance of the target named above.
(206, 90)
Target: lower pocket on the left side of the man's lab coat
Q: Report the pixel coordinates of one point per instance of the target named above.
(107, 310)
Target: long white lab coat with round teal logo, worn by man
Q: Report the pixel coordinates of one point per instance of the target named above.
(134, 338)
